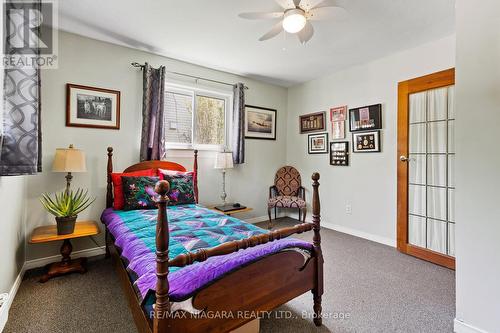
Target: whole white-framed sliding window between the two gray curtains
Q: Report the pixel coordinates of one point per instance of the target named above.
(196, 118)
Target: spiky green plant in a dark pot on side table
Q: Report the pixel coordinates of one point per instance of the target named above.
(65, 206)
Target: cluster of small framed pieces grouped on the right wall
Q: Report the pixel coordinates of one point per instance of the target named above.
(327, 135)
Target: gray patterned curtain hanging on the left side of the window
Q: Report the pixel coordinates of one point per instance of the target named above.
(152, 137)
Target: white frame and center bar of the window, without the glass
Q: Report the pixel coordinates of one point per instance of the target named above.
(196, 90)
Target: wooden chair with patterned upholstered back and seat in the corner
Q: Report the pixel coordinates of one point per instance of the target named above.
(287, 192)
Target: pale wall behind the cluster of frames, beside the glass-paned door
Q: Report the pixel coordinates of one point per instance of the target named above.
(368, 185)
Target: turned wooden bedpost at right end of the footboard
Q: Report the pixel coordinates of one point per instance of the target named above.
(316, 219)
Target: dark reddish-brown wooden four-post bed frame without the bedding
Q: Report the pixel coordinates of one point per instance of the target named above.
(238, 297)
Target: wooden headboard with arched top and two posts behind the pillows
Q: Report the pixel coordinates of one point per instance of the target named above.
(149, 165)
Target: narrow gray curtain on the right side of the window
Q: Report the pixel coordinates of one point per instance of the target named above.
(238, 144)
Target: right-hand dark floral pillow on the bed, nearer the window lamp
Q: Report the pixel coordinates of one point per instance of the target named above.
(181, 188)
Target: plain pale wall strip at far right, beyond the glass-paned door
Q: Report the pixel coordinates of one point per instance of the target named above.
(477, 170)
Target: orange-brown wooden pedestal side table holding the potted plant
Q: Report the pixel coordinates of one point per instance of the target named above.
(67, 265)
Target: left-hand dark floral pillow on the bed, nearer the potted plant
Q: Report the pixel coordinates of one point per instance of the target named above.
(139, 192)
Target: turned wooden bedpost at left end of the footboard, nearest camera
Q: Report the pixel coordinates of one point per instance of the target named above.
(162, 305)
